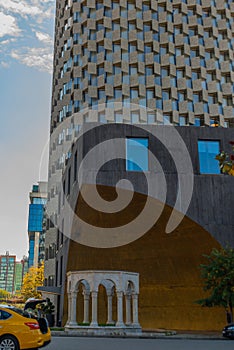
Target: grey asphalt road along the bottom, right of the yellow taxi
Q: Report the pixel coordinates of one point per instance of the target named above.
(76, 343)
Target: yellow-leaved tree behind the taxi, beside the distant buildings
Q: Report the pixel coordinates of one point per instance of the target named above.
(33, 279)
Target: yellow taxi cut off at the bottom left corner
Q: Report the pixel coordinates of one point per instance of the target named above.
(20, 330)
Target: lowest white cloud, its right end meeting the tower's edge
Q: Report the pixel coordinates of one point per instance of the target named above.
(40, 58)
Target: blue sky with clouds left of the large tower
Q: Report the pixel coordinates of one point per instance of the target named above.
(26, 51)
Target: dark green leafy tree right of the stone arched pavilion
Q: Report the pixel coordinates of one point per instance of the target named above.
(218, 276)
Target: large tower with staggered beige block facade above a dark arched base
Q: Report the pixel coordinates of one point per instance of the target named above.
(155, 66)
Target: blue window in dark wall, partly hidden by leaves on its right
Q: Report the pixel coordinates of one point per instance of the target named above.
(207, 151)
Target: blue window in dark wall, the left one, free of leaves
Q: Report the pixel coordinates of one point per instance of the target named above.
(137, 154)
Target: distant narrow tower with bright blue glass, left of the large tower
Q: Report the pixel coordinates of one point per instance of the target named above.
(36, 224)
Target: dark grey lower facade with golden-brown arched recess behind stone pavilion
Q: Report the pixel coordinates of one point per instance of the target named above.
(168, 264)
